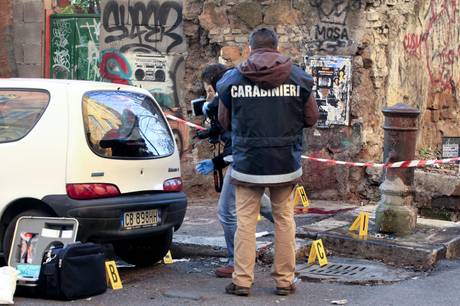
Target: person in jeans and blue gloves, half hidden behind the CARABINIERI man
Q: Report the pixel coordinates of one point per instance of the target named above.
(226, 205)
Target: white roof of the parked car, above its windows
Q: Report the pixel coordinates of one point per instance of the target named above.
(40, 82)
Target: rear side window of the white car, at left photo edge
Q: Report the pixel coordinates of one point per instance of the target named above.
(20, 110)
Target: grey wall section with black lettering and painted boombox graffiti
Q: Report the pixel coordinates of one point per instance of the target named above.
(142, 43)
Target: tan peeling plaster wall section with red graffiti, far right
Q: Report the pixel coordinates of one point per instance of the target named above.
(429, 68)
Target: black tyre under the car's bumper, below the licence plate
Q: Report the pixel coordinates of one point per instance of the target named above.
(144, 251)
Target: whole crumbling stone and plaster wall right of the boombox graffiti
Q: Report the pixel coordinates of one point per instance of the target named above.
(402, 51)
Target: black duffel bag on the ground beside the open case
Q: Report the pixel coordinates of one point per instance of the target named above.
(73, 272)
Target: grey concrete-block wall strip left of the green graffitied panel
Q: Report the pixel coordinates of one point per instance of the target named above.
(27, 30)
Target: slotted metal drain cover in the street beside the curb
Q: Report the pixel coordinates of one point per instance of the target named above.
(353, 271)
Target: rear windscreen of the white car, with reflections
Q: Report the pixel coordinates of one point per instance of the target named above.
(125, 125)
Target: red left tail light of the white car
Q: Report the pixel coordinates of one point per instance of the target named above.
(91, 191)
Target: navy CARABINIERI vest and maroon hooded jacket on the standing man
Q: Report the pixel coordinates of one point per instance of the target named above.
(266, 103)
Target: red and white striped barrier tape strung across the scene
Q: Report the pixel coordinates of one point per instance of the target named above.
(400, 164)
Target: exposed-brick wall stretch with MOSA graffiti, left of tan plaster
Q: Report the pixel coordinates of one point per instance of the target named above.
(306, 28)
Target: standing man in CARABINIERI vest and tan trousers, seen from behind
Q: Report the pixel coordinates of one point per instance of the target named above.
(266, 102)
